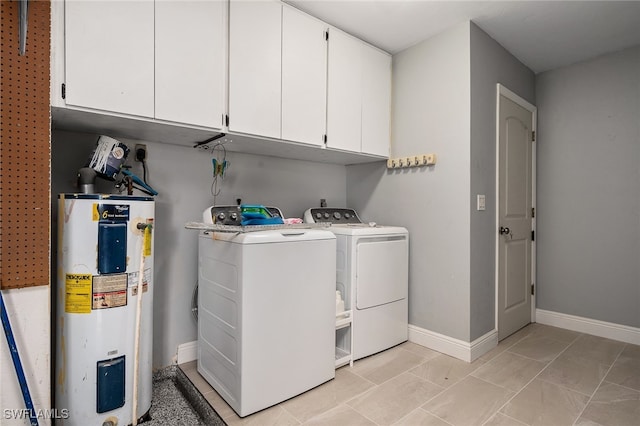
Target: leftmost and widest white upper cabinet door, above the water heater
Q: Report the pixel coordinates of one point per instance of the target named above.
(109, 55)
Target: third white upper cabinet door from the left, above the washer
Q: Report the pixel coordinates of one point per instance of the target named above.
(255, 35)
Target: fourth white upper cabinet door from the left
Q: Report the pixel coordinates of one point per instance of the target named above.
(304, 77)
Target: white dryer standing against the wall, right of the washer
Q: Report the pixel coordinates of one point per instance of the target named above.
(372, 270)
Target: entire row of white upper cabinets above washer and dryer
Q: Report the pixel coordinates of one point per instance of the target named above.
(257, 68)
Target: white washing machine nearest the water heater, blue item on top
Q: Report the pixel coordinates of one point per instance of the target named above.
(265, 311)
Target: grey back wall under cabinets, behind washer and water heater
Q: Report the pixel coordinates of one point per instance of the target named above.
(183, 177)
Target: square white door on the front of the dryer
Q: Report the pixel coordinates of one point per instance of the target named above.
(382, 270)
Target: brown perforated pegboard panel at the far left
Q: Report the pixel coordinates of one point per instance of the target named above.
(25, 147)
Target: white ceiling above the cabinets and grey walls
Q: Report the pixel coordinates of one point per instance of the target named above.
(542, 34)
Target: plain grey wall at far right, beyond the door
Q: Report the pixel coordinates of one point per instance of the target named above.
(588, 189)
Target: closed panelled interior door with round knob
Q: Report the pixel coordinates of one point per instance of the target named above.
(515, 153)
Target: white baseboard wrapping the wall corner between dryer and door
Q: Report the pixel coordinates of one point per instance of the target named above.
(465, 351)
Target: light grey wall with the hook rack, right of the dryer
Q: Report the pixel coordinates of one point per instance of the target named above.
(430, 113)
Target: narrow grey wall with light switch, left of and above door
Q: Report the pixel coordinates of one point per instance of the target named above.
(490, 64)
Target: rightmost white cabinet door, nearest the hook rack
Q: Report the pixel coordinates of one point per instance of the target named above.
(376, 101)
